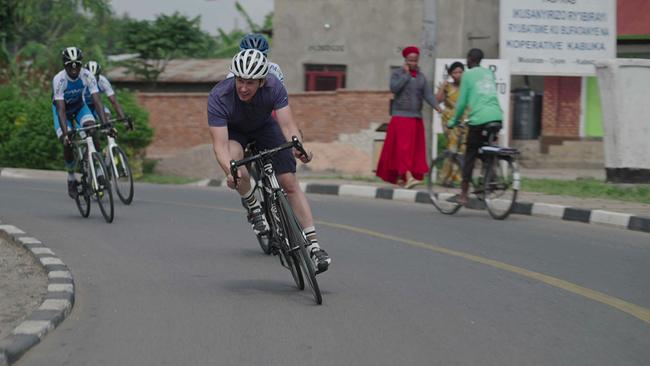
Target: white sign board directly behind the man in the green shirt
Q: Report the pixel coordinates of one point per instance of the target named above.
(501, 71)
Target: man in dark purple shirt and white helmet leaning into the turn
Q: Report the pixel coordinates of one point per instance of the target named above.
(239, 112)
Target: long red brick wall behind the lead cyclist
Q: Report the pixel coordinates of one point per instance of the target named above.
(180, 119)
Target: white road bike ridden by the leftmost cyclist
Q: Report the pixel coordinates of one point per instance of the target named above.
(93, 182)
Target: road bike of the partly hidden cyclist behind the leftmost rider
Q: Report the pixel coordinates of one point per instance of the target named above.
(119, 170)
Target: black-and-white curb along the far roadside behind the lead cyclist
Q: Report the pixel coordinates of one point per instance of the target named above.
(540, 209)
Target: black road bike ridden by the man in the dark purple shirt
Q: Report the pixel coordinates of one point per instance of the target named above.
(286, 238)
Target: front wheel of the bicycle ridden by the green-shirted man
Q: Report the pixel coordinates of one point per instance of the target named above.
(443, 192)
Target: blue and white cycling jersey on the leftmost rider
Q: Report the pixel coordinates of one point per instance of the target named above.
(71, 91)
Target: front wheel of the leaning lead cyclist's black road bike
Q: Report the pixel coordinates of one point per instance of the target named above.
(299, 244)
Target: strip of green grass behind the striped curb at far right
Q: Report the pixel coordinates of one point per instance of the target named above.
(588, 188)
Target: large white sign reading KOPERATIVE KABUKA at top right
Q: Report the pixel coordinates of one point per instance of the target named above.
(557, 37)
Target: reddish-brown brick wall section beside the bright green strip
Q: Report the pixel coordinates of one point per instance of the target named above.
(561, 106)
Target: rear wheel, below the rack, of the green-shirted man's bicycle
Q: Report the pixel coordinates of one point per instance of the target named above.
(501, 186)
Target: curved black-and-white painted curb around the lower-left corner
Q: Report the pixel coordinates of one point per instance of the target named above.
(56, 306)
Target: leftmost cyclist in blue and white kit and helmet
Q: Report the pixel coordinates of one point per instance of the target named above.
(68, 105)
